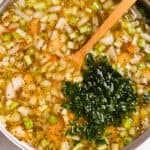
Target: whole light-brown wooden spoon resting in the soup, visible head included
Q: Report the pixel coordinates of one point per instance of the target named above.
(123, 6)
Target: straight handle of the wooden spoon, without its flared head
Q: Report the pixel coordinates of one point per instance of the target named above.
(122, 7)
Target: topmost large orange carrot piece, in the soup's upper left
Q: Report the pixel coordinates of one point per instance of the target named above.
(34, 26)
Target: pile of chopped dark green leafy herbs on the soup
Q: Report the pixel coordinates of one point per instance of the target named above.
(104, 98)
